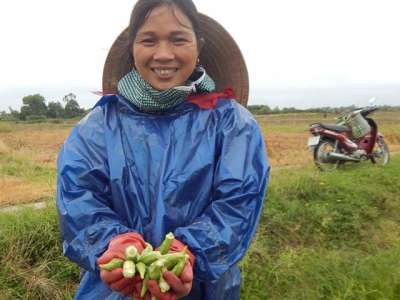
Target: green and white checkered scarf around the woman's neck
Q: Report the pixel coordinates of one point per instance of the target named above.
(133, 87)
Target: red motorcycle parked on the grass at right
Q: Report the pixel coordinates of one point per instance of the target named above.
(353, 138)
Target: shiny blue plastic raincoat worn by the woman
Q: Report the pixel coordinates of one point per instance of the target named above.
(199, 173)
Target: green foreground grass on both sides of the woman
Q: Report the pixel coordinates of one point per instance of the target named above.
(321, 236)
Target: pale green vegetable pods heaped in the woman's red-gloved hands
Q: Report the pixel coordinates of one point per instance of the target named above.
(150, 264)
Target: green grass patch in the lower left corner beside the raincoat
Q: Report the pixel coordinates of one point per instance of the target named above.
(30, 256)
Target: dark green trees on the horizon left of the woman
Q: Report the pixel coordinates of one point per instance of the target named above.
(35, 109)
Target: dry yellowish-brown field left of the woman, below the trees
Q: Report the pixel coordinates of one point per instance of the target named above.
(28, 162)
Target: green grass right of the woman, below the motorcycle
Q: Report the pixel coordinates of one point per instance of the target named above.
(328, 235)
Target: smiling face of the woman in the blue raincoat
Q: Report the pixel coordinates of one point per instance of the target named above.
(165, 49)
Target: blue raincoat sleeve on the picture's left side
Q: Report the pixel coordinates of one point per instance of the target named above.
(86, 221)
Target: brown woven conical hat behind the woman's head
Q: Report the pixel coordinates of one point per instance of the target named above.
(220, 57)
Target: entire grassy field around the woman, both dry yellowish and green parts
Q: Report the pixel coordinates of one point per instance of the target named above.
(332, 235)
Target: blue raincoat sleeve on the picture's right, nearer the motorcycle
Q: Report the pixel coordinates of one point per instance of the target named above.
(220, 237)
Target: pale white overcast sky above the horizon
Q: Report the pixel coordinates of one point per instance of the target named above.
(302, 54)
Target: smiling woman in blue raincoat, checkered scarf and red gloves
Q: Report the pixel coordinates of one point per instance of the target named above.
(165, 154)
